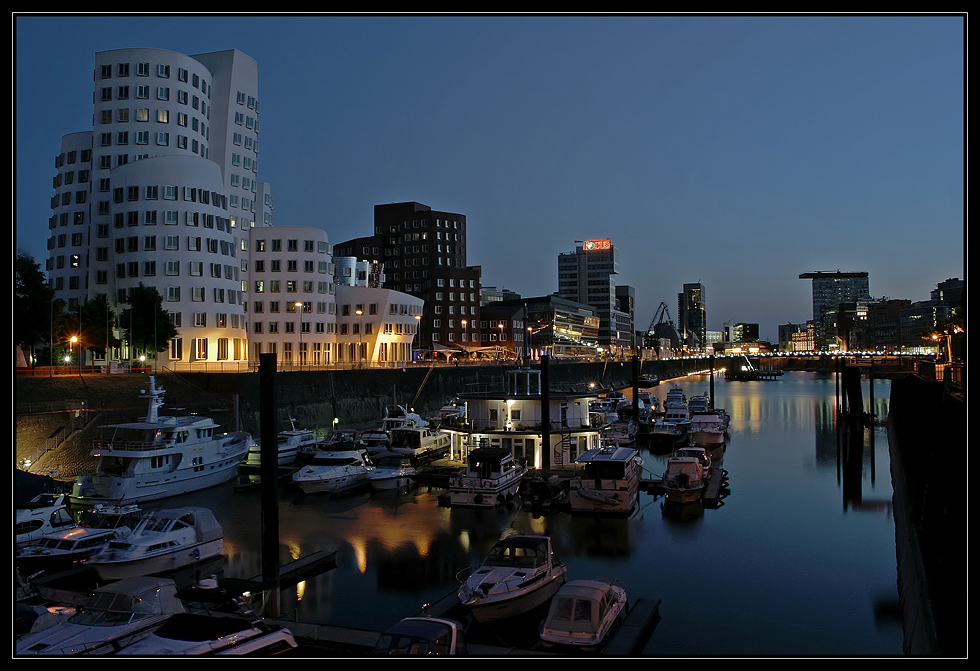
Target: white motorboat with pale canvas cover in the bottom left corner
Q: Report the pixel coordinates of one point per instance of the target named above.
(116, 614)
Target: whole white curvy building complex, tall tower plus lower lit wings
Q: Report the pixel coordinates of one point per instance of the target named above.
(164, 192)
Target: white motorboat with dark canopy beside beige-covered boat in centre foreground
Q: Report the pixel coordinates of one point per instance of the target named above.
(520, 573)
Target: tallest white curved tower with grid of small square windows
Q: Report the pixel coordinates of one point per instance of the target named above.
(162, 192)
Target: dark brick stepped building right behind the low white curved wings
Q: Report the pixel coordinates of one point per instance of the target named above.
(423, 253)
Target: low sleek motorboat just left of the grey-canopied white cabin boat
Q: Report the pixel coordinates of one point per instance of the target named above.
(59, 550)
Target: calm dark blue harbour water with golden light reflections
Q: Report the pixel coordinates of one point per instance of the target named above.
(785, 565)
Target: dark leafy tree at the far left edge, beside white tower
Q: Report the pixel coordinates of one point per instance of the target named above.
(34, 303)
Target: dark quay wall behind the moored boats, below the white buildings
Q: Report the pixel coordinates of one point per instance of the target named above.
(45, 406)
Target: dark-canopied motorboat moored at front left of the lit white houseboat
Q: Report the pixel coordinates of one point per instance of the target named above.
(492, 478)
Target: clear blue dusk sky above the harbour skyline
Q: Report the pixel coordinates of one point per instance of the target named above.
(737, 151)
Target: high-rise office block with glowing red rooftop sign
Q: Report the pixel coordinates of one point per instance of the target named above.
(588, 276)
